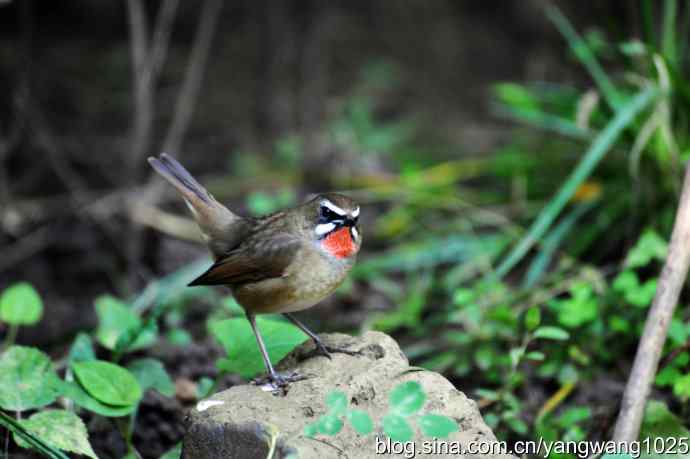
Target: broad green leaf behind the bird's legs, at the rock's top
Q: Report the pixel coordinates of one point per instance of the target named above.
(239, 342)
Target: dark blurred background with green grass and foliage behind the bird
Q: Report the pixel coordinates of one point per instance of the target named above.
(518, 165)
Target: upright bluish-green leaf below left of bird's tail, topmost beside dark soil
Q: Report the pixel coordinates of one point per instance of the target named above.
(115, 320)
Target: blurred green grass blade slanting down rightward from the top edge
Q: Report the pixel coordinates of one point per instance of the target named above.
(586, 57)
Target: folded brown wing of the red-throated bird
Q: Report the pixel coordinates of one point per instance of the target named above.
(252, 261)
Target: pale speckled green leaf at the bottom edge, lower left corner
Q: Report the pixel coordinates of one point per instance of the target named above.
(60, 428)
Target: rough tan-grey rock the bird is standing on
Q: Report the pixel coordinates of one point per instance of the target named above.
(248, 422)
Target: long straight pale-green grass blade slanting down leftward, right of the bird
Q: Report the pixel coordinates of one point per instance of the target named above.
(599, 147)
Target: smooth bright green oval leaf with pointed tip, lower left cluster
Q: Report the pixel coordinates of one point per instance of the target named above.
(107, 382)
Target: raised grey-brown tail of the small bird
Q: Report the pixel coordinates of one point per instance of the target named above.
(213, 217)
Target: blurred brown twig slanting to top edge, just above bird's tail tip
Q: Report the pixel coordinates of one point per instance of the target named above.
(186, 101)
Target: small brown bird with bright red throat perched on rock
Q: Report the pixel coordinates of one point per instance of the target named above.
(284, 262)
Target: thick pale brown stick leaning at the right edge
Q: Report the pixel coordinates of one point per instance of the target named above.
(656, 327)
